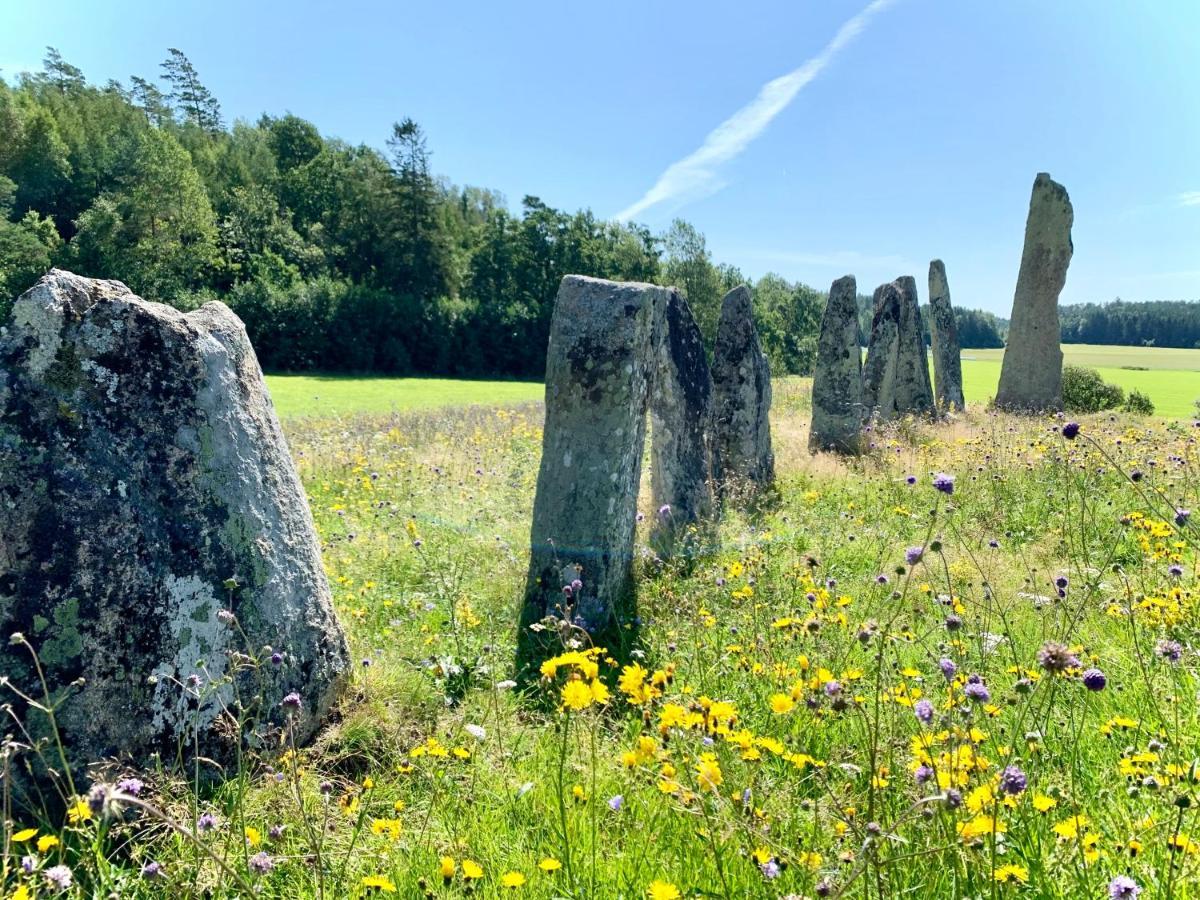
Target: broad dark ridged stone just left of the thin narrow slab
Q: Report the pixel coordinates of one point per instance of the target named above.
(896, 376)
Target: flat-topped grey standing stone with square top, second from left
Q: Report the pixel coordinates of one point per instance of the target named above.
(598, 373)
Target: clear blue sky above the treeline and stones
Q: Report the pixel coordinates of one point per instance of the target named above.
(917, 137)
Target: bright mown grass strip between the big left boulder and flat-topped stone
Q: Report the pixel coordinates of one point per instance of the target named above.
(328, 397)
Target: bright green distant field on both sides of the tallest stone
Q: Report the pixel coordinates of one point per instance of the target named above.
(1172, 377)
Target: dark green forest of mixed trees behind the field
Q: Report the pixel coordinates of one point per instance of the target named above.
(353, 259)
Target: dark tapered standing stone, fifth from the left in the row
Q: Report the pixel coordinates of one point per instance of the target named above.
(838, 410)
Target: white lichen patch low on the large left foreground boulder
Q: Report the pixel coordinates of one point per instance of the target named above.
(191, 608)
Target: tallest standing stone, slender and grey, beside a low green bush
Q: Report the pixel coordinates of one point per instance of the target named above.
(1031, 375)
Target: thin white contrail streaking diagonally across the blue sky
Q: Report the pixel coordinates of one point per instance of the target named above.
(695, 175)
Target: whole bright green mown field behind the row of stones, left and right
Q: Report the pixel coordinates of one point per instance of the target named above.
(1172, 380)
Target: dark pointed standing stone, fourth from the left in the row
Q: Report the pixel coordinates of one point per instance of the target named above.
(741, 397)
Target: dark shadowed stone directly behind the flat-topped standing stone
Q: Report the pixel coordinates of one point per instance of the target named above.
(681, 427)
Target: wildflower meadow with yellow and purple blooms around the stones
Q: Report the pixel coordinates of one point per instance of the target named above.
(961, 667)
